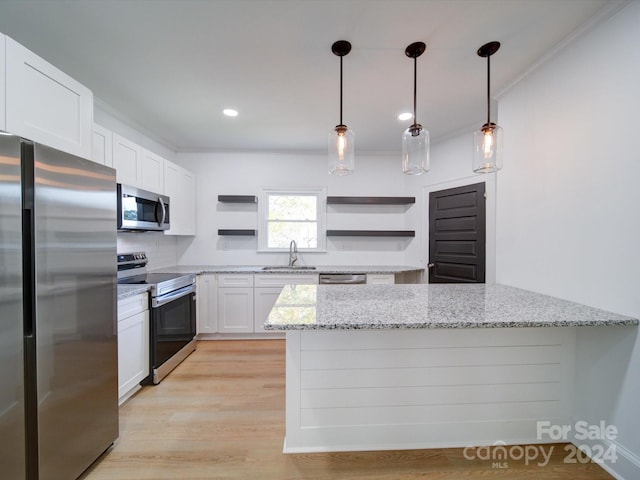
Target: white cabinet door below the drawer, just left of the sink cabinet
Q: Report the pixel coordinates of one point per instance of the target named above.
(235, 310)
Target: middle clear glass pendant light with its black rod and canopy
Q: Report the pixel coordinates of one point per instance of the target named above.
(415, 140)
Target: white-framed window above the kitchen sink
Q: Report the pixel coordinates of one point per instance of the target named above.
(288, 214)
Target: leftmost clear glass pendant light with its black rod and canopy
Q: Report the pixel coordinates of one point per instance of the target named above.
(341, 139)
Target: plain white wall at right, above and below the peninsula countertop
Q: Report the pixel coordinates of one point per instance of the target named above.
(568, 215)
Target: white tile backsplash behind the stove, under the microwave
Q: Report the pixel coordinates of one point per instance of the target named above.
(161, 249)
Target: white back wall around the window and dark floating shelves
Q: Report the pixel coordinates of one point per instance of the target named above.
(240, 173)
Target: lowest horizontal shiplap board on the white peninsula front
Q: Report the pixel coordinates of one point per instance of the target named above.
(416, 415)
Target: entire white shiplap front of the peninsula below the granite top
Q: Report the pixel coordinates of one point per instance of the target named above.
(373, 390)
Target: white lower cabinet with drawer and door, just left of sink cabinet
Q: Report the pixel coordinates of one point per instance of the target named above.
(235, 303)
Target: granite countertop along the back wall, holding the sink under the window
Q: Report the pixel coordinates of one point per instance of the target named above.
(200, 269)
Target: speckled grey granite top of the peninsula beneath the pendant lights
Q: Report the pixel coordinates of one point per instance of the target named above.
(352, 307)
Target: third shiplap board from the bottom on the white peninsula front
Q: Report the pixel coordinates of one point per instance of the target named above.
(411, 377)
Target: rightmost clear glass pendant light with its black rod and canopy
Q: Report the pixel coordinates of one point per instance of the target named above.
(487, 142)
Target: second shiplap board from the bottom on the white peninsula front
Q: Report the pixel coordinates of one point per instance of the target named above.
(435, 395)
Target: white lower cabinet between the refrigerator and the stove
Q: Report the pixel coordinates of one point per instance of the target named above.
(133, 344)
